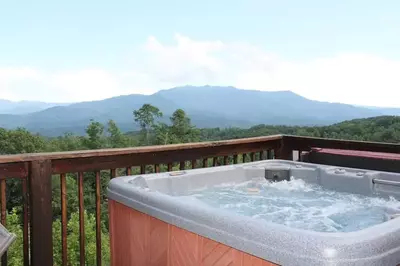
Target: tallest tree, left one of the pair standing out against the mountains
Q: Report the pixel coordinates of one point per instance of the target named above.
(145, 117)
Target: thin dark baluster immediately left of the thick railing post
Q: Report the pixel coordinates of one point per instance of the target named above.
(25, 221)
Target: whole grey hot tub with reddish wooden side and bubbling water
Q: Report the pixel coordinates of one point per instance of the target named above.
(187, 217)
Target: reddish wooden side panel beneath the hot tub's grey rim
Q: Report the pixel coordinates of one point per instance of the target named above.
(140, 240)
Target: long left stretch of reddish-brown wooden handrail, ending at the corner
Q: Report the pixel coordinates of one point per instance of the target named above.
(92, 160)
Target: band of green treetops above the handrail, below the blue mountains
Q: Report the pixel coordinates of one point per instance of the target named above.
(181, 130)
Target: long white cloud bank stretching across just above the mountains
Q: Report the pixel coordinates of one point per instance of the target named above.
(346, 77)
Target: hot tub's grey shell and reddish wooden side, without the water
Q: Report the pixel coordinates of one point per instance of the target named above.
(151, 225)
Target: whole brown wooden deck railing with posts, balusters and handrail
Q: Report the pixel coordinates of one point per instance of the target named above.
(36, 171)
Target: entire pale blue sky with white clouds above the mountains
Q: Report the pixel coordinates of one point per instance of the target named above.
(67, 51)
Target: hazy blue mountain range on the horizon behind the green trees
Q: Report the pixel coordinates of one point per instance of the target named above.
(207, 106)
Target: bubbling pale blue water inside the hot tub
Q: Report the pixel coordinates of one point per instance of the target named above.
(298, 204)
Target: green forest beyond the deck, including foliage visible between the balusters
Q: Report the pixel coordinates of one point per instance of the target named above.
(179, 129)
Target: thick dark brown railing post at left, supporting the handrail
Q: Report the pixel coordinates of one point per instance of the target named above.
(41, 213)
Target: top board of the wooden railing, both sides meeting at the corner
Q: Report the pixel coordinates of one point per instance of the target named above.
(295, 142)
